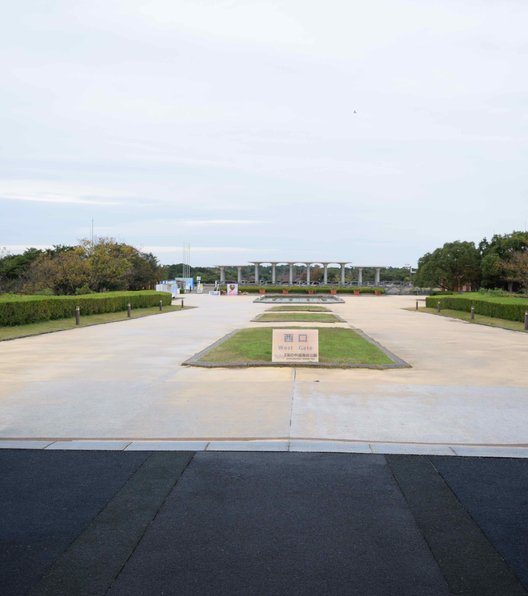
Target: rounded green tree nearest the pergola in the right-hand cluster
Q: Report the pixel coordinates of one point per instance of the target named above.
(455, 265)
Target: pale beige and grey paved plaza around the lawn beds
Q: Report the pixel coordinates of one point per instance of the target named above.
(122, 386)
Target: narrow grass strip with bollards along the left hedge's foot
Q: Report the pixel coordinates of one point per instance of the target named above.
(18, 331)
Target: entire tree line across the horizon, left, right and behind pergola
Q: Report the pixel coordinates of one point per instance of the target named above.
(107, 265)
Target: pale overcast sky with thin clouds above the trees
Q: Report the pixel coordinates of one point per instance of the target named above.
(295, 129)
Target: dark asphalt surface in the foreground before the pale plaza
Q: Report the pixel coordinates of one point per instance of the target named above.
(148, 523)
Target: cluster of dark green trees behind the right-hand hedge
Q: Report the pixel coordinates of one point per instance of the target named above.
(500, 263)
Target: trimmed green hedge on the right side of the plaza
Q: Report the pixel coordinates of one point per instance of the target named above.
(511, 309)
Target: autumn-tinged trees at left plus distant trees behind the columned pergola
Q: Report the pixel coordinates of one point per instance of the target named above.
(106, 265)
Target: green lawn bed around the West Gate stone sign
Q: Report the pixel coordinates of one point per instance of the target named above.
(337, 346)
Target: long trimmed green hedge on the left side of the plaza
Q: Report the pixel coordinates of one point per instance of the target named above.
(20, 310)
